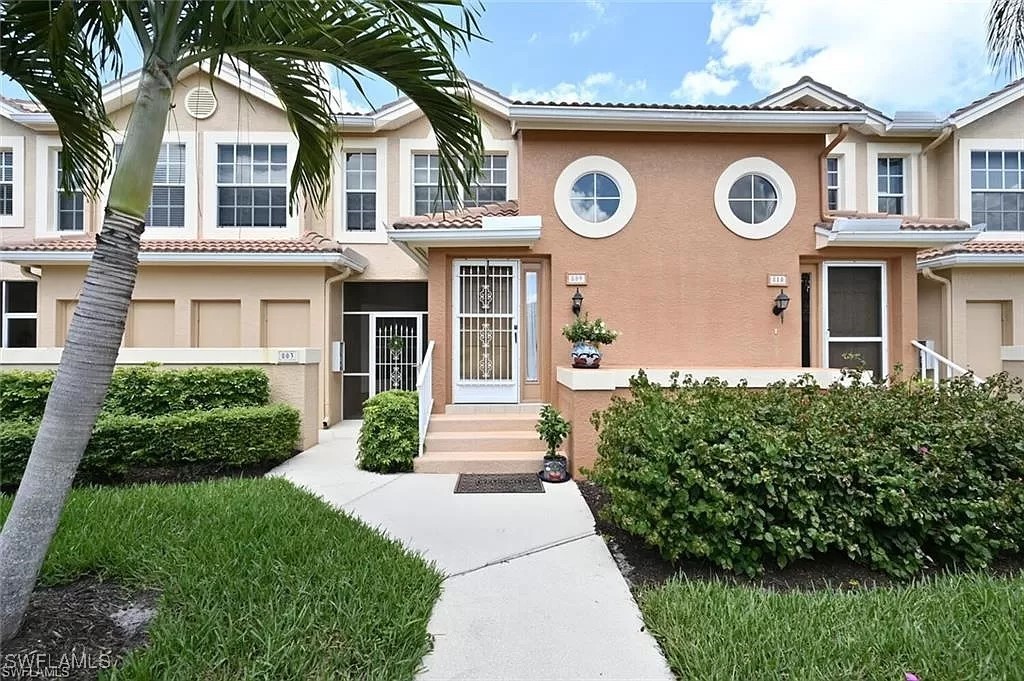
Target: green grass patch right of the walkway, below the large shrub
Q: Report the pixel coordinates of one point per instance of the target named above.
(958, 627)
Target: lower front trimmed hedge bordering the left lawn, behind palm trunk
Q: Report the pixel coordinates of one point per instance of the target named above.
(236, 437)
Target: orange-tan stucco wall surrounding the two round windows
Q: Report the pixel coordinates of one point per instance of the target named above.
(684, 289)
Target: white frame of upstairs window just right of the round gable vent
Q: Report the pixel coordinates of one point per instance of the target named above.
(209, 229)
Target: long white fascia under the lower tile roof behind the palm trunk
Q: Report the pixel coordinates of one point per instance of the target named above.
(343, 261)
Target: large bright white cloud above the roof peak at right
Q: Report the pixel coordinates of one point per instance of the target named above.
(903, 55)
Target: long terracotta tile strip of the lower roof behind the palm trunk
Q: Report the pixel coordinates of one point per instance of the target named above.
(311, 242)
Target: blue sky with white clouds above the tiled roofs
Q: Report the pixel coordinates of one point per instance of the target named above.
(894, 55)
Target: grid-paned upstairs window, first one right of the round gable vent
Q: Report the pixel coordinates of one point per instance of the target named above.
(252, 186)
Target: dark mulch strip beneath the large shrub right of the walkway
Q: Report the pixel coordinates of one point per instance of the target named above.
(643, 566)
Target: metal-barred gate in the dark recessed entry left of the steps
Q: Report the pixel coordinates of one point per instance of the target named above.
(397, 353)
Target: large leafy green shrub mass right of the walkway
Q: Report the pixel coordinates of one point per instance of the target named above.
(898, 477)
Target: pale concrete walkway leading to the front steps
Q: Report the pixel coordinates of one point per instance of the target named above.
(531, 593)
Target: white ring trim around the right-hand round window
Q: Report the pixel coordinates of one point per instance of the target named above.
(785, 190)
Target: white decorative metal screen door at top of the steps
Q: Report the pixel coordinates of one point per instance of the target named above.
(486, 331)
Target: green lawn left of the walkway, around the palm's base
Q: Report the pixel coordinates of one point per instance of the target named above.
(259, 581)
